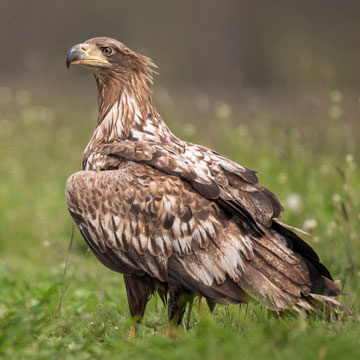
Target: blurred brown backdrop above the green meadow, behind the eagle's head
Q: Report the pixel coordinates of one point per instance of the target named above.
(283, 56)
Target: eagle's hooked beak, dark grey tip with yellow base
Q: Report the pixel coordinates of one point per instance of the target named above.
(84, 54)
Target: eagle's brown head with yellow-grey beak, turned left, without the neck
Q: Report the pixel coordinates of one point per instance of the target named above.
(108, 58)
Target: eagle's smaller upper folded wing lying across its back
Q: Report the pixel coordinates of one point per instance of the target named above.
(231, 185)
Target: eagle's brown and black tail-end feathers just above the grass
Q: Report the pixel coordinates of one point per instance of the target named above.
(282, 279)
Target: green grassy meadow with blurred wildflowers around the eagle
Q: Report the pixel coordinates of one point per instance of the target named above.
(315, 176)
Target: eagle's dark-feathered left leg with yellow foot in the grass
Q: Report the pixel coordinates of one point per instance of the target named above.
(138, 290)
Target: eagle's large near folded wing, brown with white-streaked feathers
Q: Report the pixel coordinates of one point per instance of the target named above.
(139, 220)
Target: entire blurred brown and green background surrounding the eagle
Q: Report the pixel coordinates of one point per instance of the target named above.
(273, 85)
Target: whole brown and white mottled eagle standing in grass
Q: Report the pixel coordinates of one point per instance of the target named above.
(176, 218)
